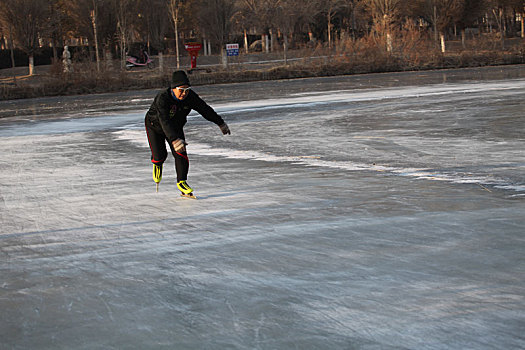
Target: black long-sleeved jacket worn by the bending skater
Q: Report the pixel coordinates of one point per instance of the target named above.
(167, 114)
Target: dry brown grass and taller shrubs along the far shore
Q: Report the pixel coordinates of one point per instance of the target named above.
(411, 50)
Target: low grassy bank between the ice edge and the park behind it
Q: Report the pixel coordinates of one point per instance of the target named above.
(109, 77)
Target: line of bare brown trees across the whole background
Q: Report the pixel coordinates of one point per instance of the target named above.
(112, 25)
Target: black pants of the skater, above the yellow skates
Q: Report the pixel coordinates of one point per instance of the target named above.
(157, 144)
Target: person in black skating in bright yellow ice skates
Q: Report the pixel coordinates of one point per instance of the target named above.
(165, 120)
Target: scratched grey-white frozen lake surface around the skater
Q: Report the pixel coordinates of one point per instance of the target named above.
(377, 211)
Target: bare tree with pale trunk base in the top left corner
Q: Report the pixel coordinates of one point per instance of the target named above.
(27, 23)
